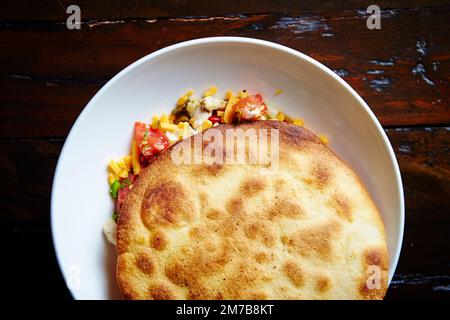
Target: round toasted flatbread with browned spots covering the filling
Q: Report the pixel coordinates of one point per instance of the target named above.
(306, 229)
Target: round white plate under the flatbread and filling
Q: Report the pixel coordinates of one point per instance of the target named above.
(80, 200)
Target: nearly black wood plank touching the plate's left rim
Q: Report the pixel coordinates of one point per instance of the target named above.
(25, 181)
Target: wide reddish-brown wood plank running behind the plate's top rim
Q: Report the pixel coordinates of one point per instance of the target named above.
(402, 71)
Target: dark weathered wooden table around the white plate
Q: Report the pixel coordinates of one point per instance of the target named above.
(49, 73)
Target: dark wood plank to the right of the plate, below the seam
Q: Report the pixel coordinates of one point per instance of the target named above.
(424, 265)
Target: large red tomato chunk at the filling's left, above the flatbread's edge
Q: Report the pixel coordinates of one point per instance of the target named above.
(150, 141)
